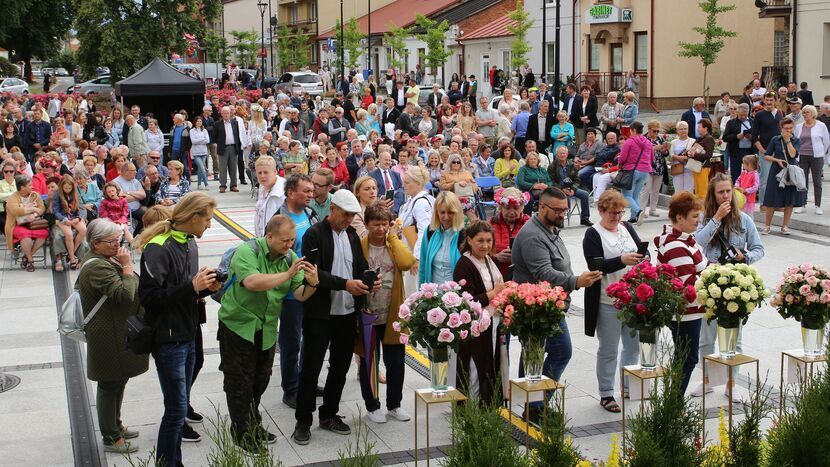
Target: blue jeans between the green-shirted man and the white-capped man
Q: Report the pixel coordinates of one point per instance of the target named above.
(290, 338)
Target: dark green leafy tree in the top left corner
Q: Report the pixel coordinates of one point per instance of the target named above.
(27, 34)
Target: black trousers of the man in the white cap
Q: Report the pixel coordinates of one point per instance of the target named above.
(335, 334)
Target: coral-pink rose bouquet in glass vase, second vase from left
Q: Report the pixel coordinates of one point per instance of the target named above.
(532, 312)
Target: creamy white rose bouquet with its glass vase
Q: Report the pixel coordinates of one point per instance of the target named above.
(730, 292)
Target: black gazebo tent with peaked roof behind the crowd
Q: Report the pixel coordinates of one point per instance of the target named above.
(162, 90)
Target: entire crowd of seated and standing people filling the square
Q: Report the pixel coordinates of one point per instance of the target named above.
(396, 188)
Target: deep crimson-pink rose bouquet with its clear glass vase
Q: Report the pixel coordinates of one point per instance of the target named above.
(648, 297)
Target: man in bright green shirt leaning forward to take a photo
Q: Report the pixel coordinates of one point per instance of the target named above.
(261, 273)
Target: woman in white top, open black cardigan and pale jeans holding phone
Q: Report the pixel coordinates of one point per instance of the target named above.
(612, 247)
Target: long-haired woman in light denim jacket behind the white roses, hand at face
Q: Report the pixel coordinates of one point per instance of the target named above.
(726, 235)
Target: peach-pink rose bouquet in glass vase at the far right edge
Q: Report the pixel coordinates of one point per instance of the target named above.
(804, 294)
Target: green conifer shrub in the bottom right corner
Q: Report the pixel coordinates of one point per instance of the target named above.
(799, 437)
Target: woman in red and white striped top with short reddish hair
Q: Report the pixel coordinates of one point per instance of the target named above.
(676, 246)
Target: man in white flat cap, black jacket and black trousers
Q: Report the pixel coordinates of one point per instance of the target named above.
(330, 316)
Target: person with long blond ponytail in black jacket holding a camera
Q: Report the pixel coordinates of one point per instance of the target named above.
(170, 288)
